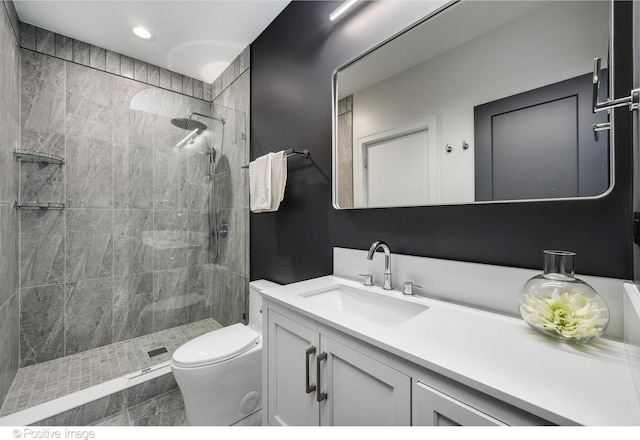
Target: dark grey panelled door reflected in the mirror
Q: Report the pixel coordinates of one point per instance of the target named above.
(540, 145)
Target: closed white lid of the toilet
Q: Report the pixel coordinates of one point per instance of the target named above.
(215, 346)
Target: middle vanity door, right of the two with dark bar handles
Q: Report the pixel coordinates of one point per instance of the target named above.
(360, 390)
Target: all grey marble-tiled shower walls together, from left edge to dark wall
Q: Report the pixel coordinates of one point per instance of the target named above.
(129, 254)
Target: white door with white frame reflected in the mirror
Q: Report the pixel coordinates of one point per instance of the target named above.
(398, 166)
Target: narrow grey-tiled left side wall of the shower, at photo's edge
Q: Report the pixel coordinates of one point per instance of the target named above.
(9, 141)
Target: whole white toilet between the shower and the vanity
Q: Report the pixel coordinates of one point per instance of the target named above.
(220, 372)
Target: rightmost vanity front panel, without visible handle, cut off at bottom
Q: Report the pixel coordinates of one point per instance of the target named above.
(433, 408)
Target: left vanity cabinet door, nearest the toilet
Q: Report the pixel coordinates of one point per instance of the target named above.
(289, 402)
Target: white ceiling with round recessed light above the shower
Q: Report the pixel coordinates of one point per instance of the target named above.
(197, 38)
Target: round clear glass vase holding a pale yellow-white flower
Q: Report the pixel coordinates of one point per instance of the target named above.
(560, 305)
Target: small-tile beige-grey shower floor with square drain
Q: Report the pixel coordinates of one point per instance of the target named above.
(46, 381)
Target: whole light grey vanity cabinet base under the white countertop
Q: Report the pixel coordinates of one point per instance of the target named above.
(316, 375)
